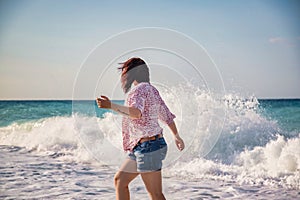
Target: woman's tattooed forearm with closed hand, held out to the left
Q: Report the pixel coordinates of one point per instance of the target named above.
(132, 112)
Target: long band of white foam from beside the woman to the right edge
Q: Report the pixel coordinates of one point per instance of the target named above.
(276, 164)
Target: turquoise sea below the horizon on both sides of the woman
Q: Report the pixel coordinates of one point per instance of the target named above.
(285, 111)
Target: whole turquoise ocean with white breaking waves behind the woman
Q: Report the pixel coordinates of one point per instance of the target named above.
(236, 148)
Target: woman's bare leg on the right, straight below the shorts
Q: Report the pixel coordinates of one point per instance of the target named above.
(153, 183)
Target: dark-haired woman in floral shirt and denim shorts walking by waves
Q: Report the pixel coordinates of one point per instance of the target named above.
(142, 135)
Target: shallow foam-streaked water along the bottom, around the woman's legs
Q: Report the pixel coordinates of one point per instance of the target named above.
(25, 175)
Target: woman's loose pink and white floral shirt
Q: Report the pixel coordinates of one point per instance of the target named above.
(146, 98)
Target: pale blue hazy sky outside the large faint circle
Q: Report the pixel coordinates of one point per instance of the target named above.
(43, 44)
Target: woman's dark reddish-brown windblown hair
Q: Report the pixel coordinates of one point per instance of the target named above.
(133, 69)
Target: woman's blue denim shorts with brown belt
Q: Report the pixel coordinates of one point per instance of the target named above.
(149, 155)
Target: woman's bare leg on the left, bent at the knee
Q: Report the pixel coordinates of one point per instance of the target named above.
(123, 177)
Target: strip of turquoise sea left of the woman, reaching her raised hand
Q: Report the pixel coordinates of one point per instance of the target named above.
(25, 111)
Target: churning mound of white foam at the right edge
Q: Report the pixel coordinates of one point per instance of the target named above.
(278, 160)
